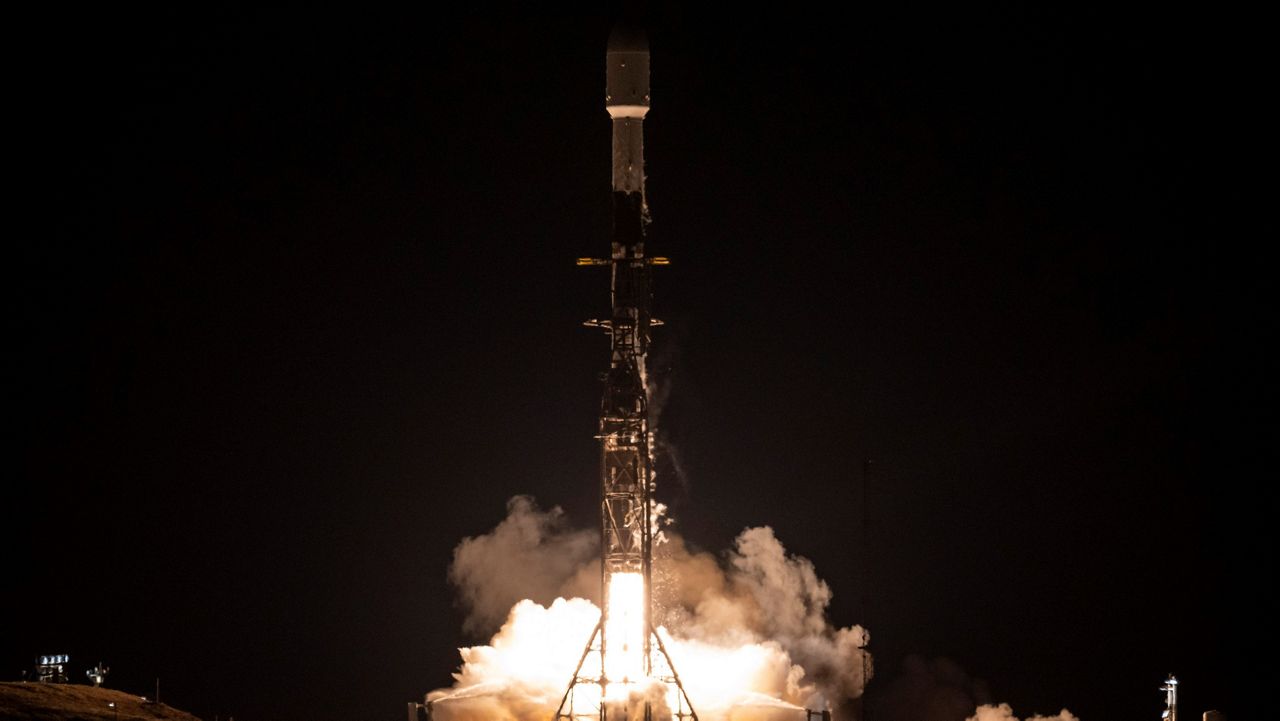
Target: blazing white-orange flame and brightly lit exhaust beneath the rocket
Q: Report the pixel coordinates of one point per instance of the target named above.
(523, 674)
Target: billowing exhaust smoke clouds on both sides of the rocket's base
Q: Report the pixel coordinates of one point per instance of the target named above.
(748, 633)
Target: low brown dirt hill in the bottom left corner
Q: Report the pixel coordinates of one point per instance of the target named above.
(71, 702)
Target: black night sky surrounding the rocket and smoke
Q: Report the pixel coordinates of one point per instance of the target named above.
(294, 311)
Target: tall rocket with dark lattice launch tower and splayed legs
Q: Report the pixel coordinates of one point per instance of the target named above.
(627, 453)
